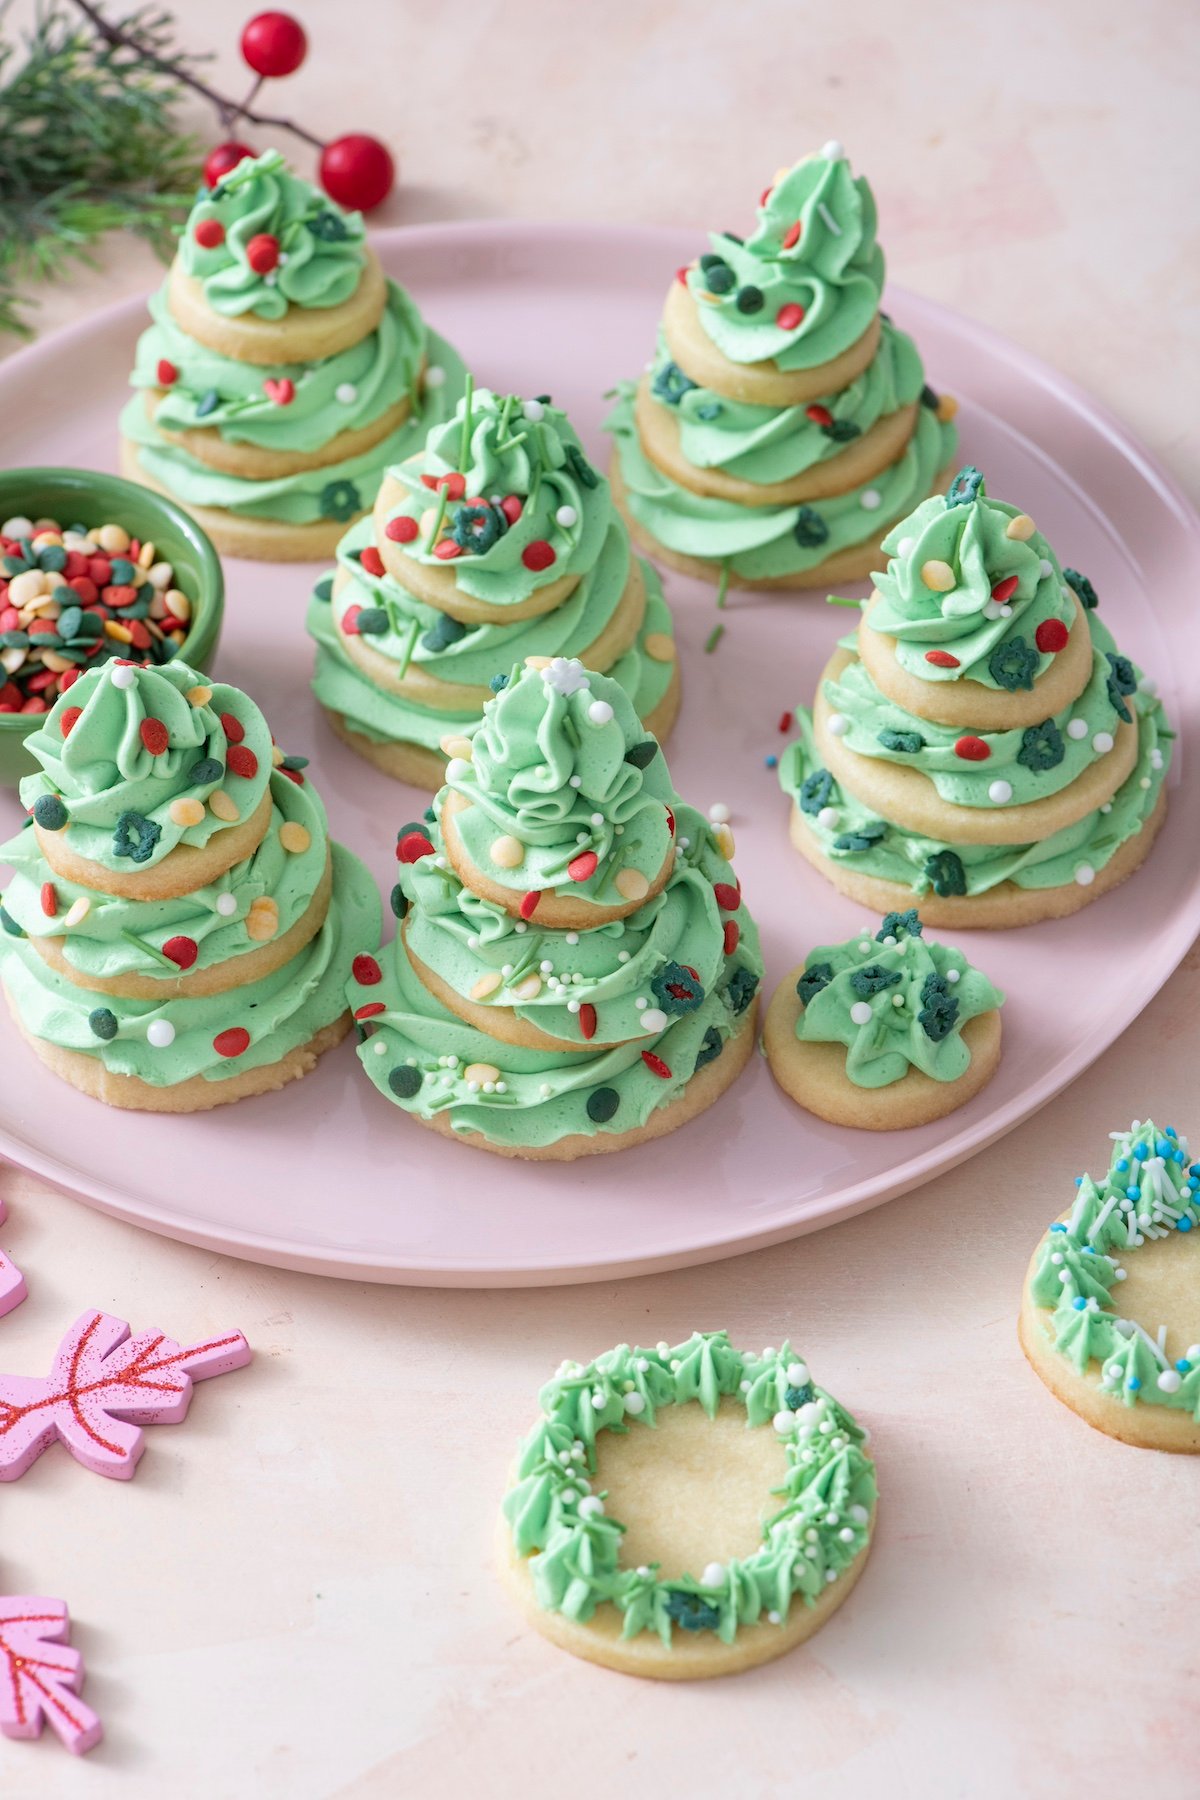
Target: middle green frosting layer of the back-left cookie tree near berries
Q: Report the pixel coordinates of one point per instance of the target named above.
(341, 393)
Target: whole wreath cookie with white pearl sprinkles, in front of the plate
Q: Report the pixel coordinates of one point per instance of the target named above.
(679, 1590)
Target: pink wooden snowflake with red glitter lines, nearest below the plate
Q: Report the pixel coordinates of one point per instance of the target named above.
(102, 1387)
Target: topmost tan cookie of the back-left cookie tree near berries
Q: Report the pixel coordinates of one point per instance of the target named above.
(305, 334)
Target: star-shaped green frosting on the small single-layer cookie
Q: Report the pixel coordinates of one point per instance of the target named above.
(897, 1002)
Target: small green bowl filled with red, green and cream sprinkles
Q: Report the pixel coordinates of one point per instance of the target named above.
(93, 568)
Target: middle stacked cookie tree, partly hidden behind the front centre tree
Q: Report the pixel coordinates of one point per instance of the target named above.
(494, 543)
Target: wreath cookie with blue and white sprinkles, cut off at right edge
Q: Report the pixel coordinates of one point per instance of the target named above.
(1131, 1241)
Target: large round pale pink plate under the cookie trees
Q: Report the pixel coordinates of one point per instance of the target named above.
(330, 1178)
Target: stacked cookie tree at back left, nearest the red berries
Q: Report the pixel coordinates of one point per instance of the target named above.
(283, 372)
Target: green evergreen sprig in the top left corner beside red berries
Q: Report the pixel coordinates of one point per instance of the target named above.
(89, 145)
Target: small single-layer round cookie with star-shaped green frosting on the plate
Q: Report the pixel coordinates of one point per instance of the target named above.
(884, 1032)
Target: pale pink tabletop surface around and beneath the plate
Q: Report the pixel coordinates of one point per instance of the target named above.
(294, 1597)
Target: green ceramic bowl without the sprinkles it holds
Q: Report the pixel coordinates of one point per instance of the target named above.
(82, 496)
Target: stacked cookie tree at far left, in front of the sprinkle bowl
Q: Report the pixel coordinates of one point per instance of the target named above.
(179, 926)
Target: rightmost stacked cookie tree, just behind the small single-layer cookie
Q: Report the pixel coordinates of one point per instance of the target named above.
(980, 742)
